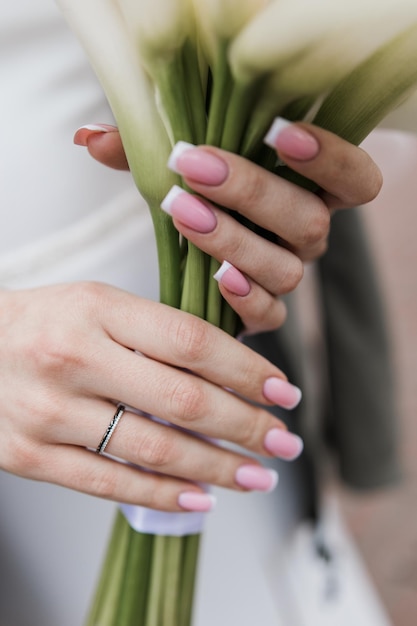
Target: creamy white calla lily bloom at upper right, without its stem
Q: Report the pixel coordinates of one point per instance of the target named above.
(290, 31)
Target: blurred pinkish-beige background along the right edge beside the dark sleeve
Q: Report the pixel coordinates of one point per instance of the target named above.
(384, 524)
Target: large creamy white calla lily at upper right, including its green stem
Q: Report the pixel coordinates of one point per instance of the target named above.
(334, 39)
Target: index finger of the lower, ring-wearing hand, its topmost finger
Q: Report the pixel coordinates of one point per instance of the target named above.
(182, 340)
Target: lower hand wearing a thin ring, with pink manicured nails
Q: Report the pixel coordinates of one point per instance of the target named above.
(69, 355)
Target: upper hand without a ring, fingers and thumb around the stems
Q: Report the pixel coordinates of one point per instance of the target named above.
(258, 271)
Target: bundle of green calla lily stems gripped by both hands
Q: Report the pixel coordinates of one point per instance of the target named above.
(148, 580)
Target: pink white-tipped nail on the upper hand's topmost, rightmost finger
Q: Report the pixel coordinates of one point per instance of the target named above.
(291, 140)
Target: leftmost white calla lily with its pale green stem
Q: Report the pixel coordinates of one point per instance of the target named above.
(131, 97)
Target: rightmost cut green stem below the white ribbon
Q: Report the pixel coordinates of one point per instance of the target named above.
(191, 545)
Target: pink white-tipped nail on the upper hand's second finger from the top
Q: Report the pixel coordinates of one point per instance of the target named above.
(198, 164)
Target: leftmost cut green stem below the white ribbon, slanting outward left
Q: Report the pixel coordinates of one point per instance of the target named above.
(105, 607)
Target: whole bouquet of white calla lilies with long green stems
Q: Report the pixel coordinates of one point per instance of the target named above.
(218, 72)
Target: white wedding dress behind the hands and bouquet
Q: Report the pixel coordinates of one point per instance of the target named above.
(65, 218)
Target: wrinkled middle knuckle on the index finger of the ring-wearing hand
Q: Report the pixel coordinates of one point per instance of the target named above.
(190, 340)
